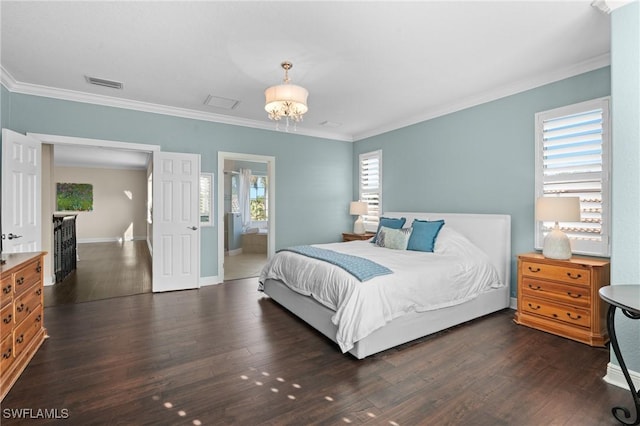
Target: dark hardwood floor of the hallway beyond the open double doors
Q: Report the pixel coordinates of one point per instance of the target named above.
(104, 270)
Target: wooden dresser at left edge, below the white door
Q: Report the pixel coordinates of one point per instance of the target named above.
(21, 315)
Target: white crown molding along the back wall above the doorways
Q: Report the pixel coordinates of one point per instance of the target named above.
(15, 86)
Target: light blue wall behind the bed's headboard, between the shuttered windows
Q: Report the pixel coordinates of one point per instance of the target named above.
(478, 160)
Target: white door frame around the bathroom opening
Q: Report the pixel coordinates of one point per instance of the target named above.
(271, 209)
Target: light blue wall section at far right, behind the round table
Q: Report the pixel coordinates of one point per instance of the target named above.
(625, 89)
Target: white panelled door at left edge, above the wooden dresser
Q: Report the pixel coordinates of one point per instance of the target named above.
(21, 193)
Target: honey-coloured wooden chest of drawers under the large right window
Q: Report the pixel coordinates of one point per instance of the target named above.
(561, 297)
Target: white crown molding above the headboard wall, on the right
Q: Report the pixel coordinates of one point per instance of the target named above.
(492, 95)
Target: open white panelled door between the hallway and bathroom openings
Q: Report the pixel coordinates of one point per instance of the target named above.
(176, 221)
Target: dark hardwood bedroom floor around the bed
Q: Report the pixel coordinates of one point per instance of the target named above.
(228, 355)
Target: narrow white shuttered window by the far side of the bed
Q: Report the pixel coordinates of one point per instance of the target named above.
(371, 187)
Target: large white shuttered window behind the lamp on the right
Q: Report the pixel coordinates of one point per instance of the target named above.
(572, 159)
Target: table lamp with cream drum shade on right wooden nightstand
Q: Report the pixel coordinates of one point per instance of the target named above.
(557, 209)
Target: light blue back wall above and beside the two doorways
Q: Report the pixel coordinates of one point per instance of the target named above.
(313, 175)
